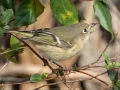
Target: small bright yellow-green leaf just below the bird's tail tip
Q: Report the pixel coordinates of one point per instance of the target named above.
(14, 42)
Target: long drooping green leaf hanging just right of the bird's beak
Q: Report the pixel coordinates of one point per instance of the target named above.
(103, 15)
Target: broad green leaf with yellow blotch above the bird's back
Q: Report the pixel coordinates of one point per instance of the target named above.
(65, 12)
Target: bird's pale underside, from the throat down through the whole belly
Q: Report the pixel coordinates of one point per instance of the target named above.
(60, 54)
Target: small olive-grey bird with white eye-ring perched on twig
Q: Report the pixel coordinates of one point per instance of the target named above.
(59, 43)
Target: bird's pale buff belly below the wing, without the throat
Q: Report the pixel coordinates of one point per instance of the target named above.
(56, 53)
